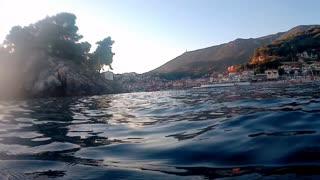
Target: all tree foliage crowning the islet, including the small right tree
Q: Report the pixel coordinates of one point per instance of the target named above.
(56, 36)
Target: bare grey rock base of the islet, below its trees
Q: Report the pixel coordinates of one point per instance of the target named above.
(56, 77)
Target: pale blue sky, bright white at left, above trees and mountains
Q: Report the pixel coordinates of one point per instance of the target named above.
(149, 33)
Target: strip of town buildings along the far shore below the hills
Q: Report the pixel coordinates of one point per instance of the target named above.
(298, 71)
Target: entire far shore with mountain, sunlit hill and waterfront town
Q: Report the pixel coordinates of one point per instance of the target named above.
(292, 56)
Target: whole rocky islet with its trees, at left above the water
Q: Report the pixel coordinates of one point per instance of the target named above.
(48, 59)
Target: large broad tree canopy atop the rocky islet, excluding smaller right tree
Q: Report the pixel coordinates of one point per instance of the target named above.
(56, 36)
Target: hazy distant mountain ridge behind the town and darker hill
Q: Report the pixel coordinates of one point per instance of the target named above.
(218, 58)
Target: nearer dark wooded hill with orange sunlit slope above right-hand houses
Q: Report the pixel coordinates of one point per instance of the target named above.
(299, 43)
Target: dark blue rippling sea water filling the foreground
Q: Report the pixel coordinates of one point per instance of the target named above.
(253, 132)
